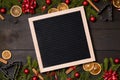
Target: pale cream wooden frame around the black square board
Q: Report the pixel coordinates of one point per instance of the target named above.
(37, 50)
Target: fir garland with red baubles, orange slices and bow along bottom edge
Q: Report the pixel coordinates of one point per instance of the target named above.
(108, 70)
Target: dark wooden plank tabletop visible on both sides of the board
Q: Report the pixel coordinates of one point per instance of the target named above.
(17, 37)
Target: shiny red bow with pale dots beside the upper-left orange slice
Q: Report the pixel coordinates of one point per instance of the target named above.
(28, 6)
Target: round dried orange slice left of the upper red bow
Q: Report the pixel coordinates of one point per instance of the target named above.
(16, 11)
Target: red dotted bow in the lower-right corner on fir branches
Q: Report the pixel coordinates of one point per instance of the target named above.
(110, 75)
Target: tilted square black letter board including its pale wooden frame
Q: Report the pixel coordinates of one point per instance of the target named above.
(61, 39)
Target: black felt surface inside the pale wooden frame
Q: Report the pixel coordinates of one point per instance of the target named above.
(61, 39)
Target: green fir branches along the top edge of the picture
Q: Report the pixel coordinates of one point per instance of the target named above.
(40, 3)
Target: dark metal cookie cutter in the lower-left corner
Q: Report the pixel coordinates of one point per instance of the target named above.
(10, 72)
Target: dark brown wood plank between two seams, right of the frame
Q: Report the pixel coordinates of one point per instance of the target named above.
(106, 39)
